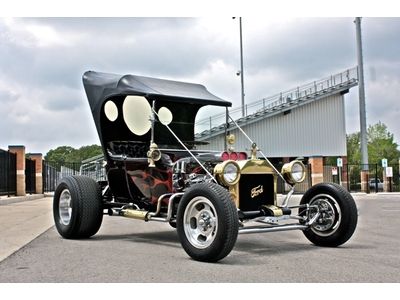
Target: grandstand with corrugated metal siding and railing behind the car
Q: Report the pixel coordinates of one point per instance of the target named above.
(306, 121)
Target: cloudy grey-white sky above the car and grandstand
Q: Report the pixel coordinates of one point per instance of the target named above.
(43, 104)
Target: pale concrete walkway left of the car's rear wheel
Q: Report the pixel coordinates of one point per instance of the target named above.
(22, 222)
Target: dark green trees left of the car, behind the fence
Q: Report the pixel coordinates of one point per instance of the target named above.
(63, 154)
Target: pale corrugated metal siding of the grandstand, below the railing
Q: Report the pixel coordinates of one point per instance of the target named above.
(314, 129)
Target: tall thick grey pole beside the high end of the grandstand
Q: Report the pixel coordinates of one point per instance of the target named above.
(363, 114)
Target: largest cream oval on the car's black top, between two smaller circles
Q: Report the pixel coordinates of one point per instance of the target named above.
(137, 113)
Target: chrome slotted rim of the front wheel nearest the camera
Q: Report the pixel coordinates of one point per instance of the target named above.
(200, 222)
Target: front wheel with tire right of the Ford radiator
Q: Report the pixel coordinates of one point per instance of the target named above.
(337, 219)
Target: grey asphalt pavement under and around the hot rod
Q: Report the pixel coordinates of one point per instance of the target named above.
(128, 250)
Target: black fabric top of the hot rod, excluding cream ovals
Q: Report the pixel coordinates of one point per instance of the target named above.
(181, 98)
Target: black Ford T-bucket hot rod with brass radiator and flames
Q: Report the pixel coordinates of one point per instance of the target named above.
(155, 173)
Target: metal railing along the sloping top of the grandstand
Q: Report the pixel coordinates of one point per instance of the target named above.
(278, 101)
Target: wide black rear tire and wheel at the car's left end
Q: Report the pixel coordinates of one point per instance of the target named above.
(77, 207)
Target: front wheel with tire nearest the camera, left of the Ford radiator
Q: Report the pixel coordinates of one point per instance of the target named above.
(207, 222)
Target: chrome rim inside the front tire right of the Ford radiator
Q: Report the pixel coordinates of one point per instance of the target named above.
(329, 215)
